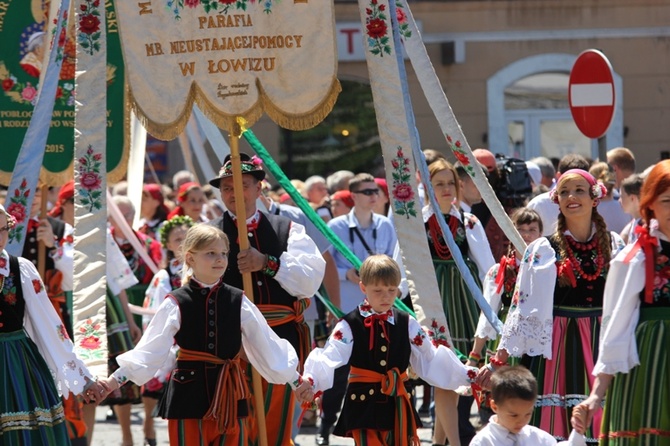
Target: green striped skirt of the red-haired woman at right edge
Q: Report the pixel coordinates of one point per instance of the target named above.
(638, 402)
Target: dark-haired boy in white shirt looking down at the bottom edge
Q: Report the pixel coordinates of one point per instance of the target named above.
(513, 396)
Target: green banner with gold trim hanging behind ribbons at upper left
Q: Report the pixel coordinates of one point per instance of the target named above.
(25, 39)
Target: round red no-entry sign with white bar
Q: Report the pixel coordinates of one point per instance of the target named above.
(591, 93)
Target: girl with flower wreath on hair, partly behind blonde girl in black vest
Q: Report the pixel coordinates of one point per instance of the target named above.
(166, 280)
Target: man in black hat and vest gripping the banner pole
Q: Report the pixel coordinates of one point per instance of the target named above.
(286, 268)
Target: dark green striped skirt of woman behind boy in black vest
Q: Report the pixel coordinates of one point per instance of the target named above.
(459, 306)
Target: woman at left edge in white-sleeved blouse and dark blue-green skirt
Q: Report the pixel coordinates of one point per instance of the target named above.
(35, 350)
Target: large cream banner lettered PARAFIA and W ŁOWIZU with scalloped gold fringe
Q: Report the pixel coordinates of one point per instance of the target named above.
(234, 58)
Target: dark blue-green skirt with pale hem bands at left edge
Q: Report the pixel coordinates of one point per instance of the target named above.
(31, 412)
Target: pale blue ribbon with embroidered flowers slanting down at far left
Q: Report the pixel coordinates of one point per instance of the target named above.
(25, 177)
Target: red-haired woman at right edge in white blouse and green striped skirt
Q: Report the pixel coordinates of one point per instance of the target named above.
(635, 334)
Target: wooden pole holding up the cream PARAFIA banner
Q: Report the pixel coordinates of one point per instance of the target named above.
(240, 212)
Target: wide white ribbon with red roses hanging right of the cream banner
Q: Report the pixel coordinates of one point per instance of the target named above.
(396, 140)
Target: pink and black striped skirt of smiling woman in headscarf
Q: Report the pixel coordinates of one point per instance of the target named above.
(565, 380)
